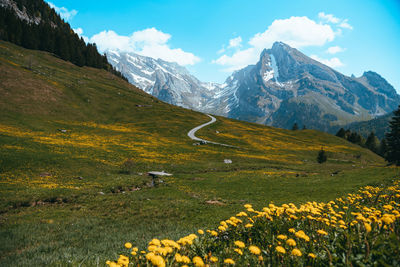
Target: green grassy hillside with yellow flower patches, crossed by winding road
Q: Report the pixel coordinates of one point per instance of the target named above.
(76, 142)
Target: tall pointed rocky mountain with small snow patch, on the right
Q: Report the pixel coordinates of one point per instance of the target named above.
(287, 87)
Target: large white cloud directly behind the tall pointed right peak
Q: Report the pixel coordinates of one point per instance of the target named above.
(296, 31)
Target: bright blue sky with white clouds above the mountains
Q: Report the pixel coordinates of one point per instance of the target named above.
(213, 38)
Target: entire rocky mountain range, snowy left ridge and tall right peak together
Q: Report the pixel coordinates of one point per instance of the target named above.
(284, 87)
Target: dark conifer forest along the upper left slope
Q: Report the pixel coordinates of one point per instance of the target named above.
(51, 34)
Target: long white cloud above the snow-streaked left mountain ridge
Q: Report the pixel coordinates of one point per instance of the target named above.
(149, 42)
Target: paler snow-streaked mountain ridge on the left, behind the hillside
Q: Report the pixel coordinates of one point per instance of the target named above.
(167, 81)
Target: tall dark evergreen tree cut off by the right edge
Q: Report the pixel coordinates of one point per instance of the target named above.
(393, 139)
